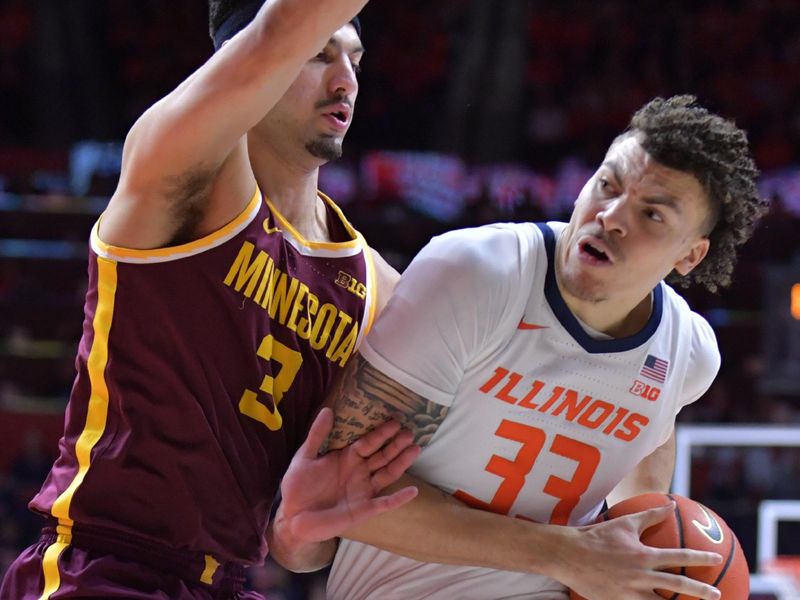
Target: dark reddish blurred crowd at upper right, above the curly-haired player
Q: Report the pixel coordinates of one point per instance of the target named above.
(593, 63)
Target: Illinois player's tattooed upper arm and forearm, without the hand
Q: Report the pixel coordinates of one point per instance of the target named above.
(435, 527)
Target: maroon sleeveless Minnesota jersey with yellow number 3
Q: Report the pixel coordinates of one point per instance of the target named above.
(200, 370)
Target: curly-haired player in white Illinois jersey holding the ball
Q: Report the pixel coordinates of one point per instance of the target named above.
(542, 367)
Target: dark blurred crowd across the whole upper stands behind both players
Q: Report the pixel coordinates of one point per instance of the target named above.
(86, 69)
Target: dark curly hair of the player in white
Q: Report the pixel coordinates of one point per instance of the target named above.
(680, 134)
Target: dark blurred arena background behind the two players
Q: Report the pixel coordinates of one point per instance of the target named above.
(470, 112)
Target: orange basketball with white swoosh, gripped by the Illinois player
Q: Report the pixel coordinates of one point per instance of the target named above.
(691, 526)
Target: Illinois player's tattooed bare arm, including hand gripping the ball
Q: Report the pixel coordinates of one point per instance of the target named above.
(605, 561)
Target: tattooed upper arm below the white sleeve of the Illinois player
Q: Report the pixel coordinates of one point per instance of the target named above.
(365, 398)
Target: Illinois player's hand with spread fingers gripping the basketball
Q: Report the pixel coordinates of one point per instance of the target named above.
(610, 562)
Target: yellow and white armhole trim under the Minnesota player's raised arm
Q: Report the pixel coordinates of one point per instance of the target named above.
(212, 240)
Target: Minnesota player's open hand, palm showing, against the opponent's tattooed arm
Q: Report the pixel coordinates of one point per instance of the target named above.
(324, 495)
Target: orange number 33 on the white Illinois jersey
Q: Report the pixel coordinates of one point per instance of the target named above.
(514, 471)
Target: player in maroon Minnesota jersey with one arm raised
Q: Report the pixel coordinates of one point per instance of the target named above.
(225, 296)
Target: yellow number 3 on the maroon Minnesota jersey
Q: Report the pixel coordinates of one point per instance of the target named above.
(290, 362)
